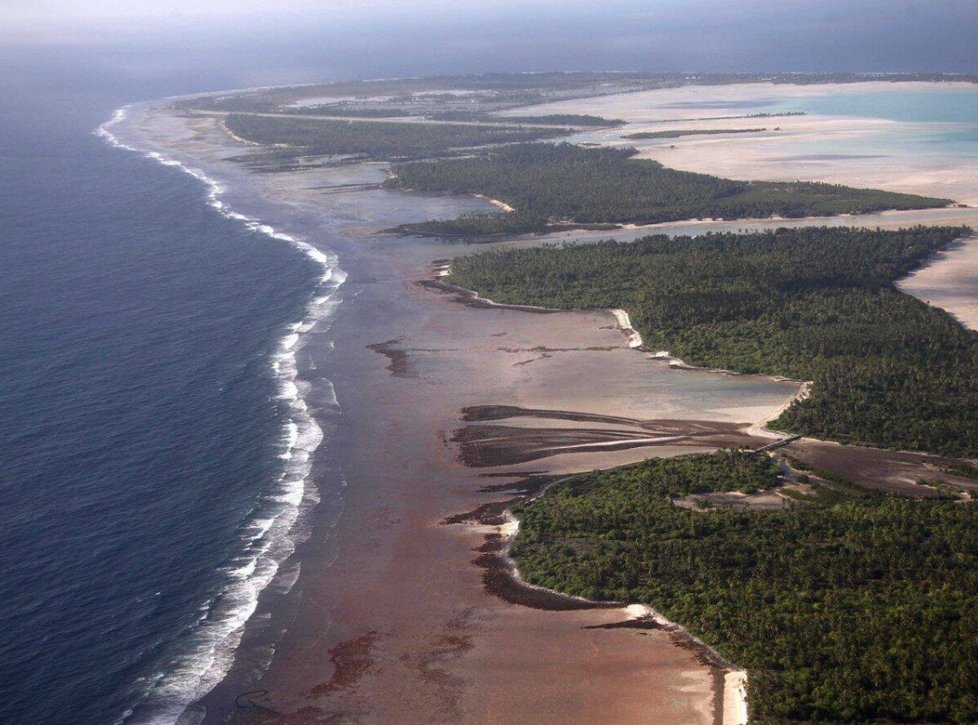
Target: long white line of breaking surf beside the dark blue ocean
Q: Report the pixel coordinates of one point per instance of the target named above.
(289, 498)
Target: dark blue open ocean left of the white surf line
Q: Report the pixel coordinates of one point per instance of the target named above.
(140, 419)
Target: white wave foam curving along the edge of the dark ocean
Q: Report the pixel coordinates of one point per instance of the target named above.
(208, 652)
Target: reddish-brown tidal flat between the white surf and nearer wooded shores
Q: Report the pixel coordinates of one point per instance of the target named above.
(405, 626)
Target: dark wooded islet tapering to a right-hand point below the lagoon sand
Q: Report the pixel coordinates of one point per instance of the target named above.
(568, 183)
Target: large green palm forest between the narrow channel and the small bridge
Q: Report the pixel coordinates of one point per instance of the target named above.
(813, 304)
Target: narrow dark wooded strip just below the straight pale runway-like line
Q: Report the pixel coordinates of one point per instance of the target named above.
(374, 140)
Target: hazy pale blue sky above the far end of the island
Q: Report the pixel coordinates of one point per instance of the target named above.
(266, 42)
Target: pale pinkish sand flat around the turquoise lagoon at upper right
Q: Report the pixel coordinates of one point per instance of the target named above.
(786, 153)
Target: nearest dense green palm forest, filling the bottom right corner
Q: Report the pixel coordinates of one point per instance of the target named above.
(857, 611)
